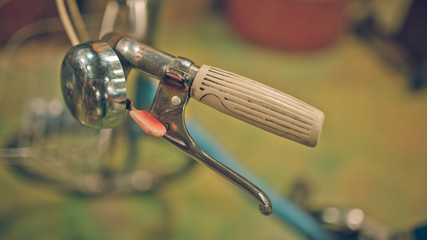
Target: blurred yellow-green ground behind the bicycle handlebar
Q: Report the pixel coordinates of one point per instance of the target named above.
(372, 153)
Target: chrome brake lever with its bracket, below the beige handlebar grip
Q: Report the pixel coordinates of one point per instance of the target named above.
(172, 115)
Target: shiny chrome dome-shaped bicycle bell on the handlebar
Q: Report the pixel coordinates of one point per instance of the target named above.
(93, 85)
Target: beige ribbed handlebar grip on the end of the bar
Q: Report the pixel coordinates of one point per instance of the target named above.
(258, 105)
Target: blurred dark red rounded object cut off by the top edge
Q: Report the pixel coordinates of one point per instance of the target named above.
(294, 25)
